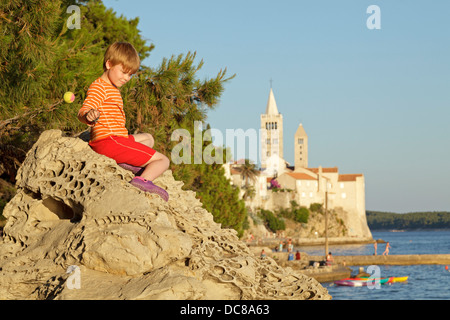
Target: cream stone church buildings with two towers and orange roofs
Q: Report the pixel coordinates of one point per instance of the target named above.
(306, 185)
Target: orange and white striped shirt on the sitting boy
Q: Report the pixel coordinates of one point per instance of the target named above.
(105, 98)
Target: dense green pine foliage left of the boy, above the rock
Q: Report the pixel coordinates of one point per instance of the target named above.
(42, 59)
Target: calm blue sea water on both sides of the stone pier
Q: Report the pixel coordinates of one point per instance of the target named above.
(425, 281)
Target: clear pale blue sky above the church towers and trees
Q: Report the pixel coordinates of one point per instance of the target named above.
(372, 100)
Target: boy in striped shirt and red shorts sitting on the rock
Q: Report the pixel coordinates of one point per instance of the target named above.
(103, 112)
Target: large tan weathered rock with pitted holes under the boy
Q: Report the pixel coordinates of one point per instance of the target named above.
(77, 229)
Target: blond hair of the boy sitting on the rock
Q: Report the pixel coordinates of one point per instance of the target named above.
(122, 53)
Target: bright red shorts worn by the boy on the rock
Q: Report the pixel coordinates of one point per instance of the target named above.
(123, 150)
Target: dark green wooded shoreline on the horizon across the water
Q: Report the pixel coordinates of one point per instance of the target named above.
(377, 220)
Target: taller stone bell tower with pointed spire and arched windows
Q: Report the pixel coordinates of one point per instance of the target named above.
(272, 129)
